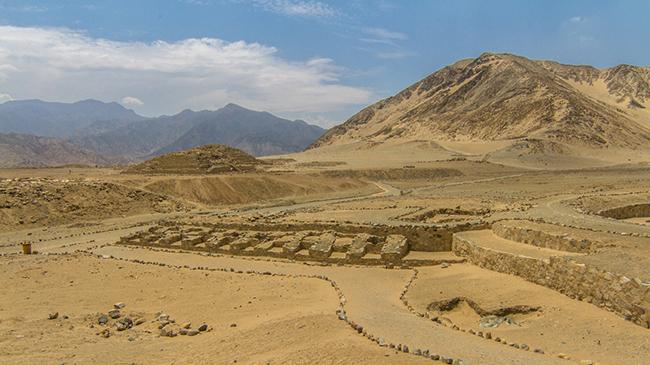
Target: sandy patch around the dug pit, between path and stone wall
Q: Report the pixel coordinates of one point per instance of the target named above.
(562, 325)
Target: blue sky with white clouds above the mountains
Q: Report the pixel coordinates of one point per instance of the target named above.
(317, 60)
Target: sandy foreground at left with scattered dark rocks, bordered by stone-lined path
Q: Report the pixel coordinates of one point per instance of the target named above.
(254, 319)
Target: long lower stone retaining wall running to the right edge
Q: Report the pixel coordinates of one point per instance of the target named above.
(627, 297)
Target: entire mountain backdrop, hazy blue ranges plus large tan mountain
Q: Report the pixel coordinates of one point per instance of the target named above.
(502, 108)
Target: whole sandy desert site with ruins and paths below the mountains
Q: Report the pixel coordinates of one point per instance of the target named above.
(296, 261)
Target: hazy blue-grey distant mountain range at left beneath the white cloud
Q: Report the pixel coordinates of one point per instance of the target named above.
(109, 133)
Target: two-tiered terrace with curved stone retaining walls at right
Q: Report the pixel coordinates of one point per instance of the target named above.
(559, 270)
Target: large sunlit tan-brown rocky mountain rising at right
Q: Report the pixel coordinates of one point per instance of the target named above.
(537, 107)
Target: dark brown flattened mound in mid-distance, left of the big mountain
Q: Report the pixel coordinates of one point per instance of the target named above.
(208, 159)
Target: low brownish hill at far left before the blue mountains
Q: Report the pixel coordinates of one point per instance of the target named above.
(23, 150)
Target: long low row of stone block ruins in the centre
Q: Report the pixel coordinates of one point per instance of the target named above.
(325, 246)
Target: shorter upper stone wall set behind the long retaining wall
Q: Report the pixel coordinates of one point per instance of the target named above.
(539, 238)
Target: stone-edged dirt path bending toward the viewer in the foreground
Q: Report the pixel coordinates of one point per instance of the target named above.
(372, 300)
